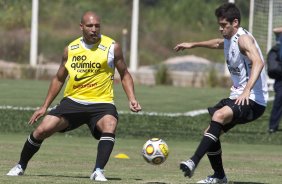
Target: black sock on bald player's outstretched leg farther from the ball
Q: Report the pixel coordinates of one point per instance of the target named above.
(30, 147)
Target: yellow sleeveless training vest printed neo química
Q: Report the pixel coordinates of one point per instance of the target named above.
(90, 76)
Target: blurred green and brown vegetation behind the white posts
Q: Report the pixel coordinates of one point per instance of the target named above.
(162, 24)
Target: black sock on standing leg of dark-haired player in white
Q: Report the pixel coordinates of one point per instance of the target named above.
(215, 156)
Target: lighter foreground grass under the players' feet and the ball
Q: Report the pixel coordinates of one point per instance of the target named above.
(70, 159)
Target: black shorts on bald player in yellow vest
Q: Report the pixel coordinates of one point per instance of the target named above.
(78, 114)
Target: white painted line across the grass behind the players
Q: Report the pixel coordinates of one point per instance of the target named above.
(189, 113)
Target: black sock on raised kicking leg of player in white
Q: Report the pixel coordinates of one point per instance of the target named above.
(210, 137)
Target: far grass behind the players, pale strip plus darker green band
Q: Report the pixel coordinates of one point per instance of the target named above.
(158, 98)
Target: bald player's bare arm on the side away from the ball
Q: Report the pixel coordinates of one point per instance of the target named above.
(54, 88)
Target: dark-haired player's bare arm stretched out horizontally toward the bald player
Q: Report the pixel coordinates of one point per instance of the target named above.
(212, 44)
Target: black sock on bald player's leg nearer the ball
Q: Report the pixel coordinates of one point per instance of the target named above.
(105, 148)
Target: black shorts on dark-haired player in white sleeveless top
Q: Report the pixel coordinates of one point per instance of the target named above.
(241, 113)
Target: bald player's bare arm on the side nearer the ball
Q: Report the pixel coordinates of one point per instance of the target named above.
(126, 79)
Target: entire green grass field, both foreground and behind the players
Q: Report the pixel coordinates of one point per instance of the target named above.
(251, 156)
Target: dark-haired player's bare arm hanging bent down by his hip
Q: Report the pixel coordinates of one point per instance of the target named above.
(247, 47)
